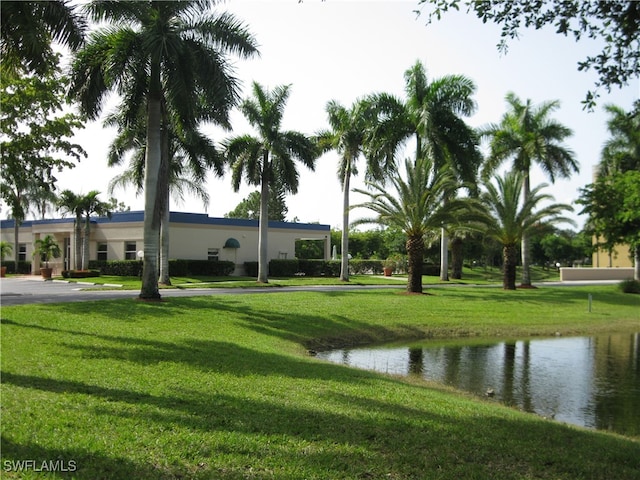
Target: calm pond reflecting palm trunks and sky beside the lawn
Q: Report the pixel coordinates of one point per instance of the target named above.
(588, 381)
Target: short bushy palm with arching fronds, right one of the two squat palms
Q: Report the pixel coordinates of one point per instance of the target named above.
(510, 216)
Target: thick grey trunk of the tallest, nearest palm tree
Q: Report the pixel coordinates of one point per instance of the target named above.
(149, 289)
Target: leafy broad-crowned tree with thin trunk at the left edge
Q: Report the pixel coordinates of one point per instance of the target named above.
(35, 140)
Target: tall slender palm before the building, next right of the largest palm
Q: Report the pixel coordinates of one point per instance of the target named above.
(269, 157)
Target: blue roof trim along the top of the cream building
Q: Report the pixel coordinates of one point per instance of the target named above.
(178, 217)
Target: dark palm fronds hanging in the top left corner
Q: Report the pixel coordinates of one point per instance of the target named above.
(28, 28)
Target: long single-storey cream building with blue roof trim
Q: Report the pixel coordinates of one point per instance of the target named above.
(192, 236)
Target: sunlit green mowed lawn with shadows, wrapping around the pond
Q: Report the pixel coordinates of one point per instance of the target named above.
(222, 387)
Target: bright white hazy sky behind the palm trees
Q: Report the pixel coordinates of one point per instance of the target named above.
(343, 50)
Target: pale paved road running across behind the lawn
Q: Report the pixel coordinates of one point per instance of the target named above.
(32, 289)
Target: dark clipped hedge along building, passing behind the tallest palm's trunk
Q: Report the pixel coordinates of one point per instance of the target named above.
(177, 268)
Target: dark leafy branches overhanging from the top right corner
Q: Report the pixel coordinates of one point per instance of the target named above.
(617, 24)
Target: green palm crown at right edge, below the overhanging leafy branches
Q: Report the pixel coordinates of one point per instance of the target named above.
(621, 152)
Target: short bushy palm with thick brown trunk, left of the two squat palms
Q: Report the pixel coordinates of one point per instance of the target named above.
(415, 206)
